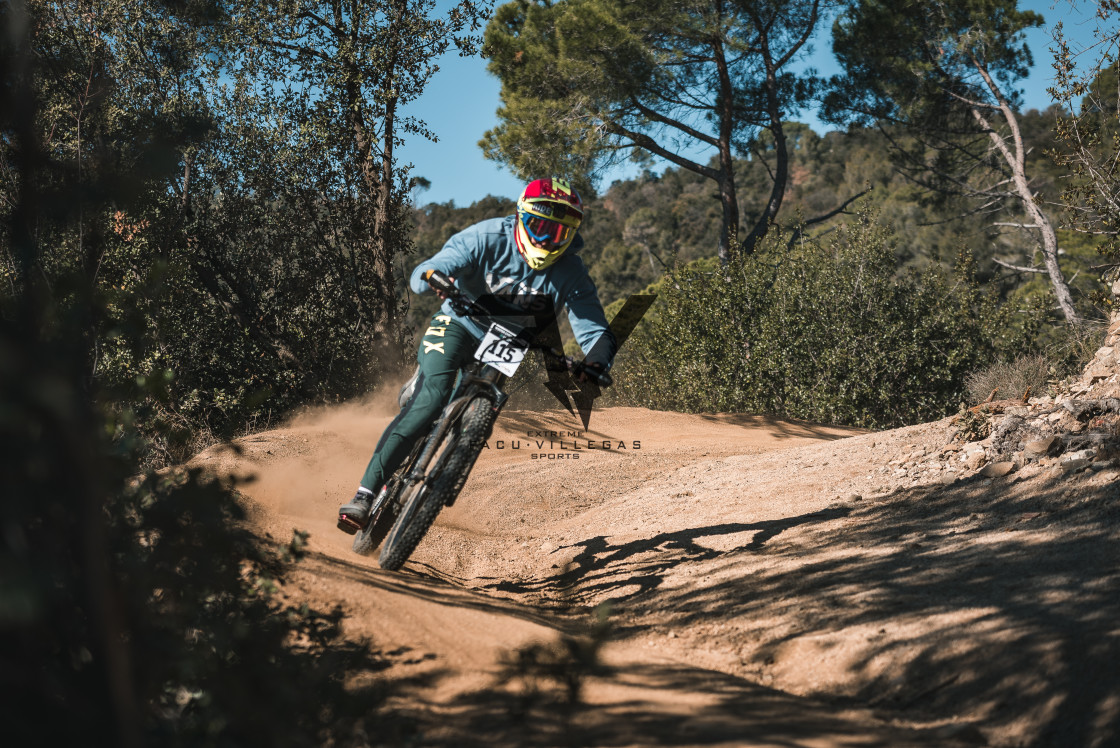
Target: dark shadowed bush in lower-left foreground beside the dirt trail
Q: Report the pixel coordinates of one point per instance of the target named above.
(201, 592)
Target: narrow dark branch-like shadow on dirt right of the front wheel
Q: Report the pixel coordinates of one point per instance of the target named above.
(602, 567)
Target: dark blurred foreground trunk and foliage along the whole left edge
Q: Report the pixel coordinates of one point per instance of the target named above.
(141, 609)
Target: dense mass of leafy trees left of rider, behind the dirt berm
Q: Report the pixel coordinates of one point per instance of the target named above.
(222, 181)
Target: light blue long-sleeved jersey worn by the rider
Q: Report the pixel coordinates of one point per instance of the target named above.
(484, 259)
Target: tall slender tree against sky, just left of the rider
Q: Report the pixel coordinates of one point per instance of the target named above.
(348, 68)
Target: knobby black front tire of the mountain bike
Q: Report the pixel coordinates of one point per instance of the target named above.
(442, 485)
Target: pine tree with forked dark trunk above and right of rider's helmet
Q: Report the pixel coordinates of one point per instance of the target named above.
(587, 81)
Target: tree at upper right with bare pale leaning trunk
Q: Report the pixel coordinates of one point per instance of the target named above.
(945, 73)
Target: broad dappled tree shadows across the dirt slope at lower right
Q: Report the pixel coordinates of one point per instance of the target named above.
(995, 601)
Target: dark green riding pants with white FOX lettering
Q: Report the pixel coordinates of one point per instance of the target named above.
(445, 349)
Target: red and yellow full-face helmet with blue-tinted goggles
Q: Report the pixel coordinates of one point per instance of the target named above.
(549, 213)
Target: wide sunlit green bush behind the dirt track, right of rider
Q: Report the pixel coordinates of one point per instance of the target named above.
(822, 332)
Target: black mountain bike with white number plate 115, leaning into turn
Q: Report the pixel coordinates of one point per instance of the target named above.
(440, 465)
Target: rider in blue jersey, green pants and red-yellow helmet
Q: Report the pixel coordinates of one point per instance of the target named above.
(529, 257)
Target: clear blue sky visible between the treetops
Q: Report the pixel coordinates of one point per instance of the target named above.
(461, 102)
